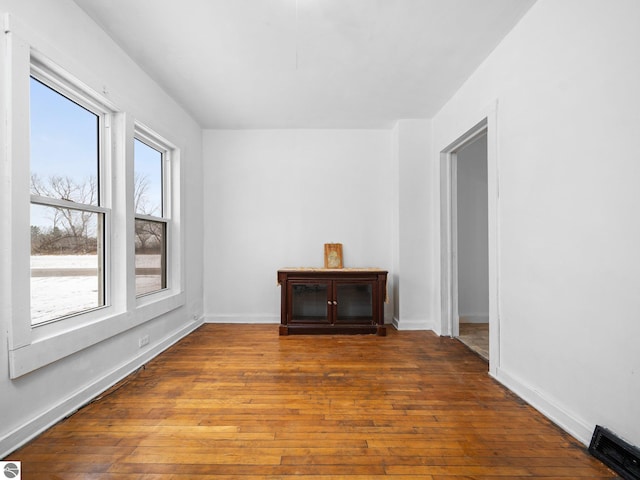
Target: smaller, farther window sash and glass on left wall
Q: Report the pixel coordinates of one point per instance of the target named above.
(150, 215)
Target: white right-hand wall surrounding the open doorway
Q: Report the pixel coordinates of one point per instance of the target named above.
(567, 148)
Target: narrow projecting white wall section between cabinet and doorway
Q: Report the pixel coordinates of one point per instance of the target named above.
(413, 281)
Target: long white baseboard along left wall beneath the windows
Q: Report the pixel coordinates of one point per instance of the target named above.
(18, 437)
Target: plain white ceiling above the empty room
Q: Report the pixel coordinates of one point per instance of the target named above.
(308, 63)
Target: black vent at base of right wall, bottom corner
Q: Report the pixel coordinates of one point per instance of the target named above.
(615, 453)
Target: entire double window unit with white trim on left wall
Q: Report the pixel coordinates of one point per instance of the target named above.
(68, 246)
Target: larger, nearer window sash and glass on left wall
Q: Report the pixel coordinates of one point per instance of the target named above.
(67, 217)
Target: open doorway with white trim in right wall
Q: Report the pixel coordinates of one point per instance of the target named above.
(469, 237)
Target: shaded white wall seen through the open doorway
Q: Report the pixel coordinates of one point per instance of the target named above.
(472, 232)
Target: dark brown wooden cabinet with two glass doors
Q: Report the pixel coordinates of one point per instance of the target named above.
(327, 301)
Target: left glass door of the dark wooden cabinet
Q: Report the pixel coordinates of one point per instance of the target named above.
(309, 302)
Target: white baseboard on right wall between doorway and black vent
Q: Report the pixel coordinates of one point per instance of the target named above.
(559, 415)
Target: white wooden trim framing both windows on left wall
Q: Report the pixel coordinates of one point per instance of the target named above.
(30, 347)
